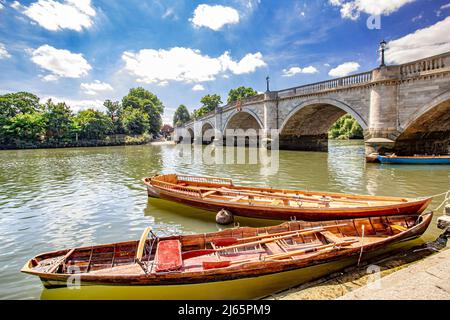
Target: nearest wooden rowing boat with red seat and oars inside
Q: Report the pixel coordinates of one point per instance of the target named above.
(228, 255)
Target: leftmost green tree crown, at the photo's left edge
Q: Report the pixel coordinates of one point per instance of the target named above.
(12, 104)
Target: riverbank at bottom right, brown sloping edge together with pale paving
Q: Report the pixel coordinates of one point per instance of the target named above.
(407, 275)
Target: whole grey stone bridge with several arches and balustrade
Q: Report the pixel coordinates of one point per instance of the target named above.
(402, 108)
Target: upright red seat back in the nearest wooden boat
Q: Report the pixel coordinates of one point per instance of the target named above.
(168, 256)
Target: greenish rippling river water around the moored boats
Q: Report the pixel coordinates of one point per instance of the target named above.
(58, 198)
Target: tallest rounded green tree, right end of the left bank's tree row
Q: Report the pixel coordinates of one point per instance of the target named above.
(139, 98)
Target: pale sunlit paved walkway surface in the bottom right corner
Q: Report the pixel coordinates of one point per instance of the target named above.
(428, 279)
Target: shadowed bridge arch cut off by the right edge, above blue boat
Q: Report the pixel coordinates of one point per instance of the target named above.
(428, 130)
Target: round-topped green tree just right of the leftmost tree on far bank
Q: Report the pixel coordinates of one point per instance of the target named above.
(58, 120)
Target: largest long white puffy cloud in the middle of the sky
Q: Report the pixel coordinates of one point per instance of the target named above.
(185, 64)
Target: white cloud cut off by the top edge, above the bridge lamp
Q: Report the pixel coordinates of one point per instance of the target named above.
(351, 9)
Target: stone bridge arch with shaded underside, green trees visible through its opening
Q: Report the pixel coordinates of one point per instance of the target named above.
(306, 125)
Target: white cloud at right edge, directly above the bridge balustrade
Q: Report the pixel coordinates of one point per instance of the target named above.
(420, 44)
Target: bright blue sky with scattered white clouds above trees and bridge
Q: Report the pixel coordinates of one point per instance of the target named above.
(85, 51)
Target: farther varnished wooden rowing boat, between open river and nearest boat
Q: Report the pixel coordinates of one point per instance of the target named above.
(214, 194)
